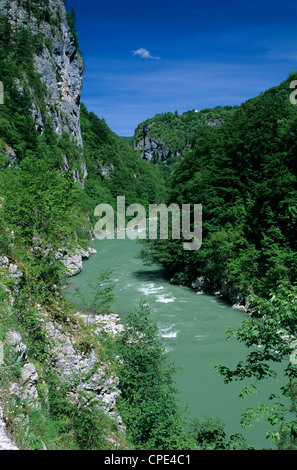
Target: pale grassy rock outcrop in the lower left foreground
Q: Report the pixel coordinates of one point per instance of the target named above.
(72, 363)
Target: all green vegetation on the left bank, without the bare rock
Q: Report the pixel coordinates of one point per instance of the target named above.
(45, 209)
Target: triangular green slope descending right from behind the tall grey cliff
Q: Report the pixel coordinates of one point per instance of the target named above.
(114, 168)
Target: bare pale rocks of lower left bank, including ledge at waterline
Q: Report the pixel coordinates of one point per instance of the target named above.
(75, 362)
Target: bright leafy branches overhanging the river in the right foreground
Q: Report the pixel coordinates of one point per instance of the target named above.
(270, 336)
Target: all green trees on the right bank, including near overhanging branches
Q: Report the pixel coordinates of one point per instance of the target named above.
(244, 175)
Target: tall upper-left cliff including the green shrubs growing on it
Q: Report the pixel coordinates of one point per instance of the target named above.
(47, 72)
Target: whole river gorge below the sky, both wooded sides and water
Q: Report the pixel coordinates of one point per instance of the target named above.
(96, 374)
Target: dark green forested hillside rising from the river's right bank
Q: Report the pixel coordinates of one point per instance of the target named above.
(244, 175)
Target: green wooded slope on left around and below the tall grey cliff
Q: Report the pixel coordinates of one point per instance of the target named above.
(49, 184)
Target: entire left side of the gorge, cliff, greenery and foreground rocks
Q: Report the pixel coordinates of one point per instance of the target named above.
(58, 382)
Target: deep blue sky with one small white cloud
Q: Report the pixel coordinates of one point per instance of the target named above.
(144, 58)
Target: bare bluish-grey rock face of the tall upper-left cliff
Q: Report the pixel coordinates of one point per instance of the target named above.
(58, 62)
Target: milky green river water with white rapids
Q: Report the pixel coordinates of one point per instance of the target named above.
(193, 328)
